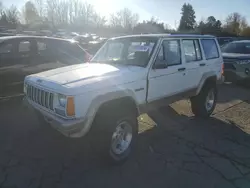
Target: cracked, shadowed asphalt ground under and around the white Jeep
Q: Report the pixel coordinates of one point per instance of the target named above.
(175, 150)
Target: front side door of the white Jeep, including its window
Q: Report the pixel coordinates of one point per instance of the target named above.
(167, 76)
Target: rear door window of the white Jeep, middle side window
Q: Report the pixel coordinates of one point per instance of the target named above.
(192, 50)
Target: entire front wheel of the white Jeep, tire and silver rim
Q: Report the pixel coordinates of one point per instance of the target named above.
(114, 135)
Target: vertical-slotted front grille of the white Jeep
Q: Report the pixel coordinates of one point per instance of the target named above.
(41, 97)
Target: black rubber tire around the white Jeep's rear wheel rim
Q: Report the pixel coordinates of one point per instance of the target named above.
(198, 103)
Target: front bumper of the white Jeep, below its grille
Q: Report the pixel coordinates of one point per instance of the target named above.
(68, 127)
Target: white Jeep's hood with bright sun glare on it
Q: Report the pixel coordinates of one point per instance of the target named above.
(84, 75)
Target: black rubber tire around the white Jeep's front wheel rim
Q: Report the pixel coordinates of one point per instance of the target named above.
(103, 128)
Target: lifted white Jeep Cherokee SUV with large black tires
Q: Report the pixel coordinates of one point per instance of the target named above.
(127, 76)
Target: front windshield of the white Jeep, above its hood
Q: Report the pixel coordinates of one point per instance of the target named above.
(130, 51)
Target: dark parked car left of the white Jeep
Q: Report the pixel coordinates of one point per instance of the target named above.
(25, 55)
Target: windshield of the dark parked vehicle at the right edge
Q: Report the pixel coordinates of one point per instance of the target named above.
(237, 47)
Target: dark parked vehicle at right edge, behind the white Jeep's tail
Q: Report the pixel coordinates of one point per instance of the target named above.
(236, 57)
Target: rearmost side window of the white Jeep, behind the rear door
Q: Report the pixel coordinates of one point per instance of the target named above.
(210, 48)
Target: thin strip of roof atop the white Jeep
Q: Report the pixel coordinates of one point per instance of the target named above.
(167, 36)
